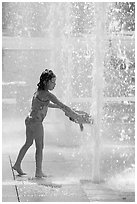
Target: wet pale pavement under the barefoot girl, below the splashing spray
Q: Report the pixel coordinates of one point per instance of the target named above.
(66, 181)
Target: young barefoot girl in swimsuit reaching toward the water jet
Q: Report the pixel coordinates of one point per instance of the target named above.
(43, 99)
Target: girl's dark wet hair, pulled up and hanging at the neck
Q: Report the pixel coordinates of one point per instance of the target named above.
(46, 76)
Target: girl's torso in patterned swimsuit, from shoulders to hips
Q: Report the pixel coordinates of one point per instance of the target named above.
(39, 107)
